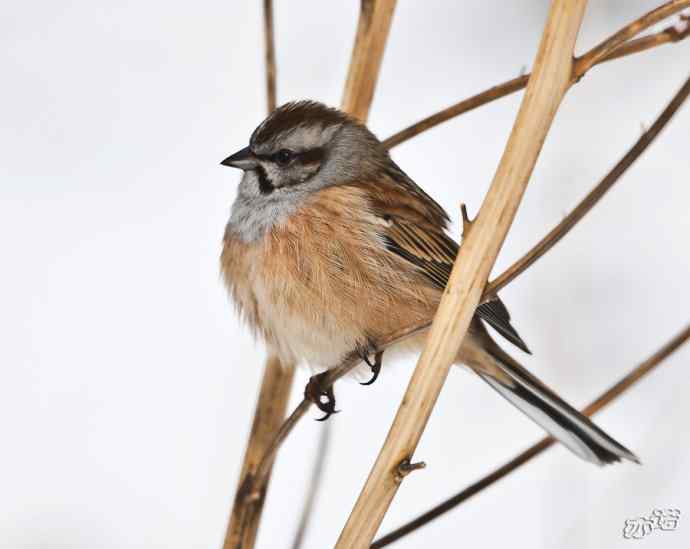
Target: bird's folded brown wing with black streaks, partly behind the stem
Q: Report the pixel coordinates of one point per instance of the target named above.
(414, 229)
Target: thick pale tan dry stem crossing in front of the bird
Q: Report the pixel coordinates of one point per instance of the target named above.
(550, 80)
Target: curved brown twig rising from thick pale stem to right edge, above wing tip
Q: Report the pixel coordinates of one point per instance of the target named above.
(546, 243)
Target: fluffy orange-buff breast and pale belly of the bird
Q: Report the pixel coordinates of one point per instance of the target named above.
(320, 283)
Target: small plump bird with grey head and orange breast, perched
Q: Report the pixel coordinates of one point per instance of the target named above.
(330, 247)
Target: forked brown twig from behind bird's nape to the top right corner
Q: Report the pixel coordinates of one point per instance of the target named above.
(668, 35)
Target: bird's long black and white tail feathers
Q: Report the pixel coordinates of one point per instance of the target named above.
(557, 417)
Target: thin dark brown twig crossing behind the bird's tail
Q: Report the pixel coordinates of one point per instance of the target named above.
(605, 398)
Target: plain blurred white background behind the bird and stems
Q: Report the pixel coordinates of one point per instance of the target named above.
(128, 384)
